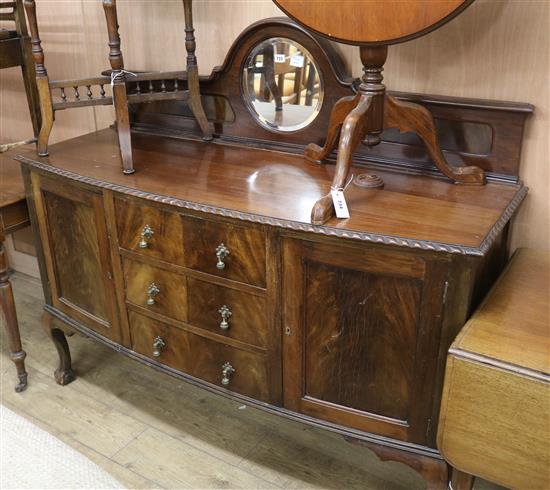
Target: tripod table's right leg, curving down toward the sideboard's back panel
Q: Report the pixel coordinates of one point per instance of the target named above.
(413, 117)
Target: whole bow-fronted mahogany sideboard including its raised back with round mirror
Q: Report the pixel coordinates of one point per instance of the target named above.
(206, 263)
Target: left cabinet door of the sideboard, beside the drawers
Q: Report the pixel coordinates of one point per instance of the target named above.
(77, 253)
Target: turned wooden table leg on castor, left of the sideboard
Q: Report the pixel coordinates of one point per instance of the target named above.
(7, 305)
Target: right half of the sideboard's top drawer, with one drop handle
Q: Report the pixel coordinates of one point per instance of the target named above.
(245, 261)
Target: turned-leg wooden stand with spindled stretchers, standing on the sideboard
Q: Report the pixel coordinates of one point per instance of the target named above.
(127, 88)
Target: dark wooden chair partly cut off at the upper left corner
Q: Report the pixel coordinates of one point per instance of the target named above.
(15, 50)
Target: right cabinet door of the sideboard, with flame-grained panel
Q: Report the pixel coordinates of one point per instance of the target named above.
(361, 336)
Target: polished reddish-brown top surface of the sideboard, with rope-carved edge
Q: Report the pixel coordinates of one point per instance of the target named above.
(280, 189)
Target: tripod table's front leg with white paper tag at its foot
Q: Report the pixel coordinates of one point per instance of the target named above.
(354, 130)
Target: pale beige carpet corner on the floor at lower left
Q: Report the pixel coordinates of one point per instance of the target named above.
(31, 458)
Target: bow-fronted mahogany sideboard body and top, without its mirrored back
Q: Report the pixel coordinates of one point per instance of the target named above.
(203, 265)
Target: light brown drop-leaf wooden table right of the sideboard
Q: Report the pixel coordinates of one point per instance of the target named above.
(494, 420)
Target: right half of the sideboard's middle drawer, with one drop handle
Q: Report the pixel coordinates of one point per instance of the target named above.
(245, 314)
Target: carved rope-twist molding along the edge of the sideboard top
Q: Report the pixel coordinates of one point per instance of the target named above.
(295, 225)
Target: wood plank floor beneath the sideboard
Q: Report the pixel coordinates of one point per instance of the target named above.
(149, 430)
